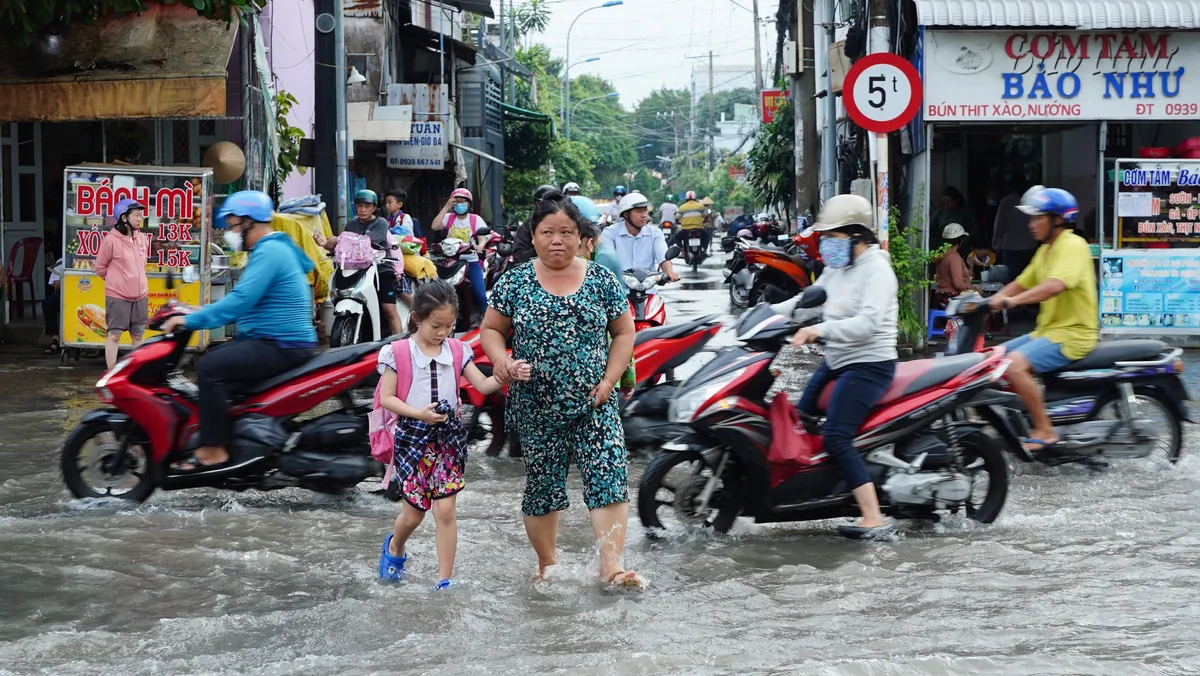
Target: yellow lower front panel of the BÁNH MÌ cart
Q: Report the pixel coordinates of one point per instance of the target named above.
(83, 308)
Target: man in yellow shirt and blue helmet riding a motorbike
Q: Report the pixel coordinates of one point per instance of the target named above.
(1063, 279)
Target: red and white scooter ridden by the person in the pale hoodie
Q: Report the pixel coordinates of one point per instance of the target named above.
(921, 458)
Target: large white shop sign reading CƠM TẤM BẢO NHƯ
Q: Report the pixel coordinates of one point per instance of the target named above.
(1047, 76)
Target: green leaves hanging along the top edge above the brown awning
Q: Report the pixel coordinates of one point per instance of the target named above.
(26, 21)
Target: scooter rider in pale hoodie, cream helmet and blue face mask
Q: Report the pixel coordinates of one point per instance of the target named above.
(860, 332)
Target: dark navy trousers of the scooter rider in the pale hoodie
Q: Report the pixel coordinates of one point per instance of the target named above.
(857, 391)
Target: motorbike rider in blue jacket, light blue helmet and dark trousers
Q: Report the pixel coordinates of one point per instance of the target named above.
(272, 306)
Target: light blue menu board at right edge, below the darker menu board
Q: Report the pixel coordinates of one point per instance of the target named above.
(1150, 292)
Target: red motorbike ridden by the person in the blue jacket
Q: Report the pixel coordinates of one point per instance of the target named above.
(152, 420)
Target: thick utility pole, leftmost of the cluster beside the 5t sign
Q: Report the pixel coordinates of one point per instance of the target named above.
(805, 107)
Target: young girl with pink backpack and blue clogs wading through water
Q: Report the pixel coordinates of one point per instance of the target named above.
(430, 456)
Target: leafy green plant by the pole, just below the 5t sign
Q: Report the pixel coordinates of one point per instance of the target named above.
(911, 265)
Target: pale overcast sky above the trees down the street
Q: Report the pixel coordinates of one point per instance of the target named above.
(645, 45)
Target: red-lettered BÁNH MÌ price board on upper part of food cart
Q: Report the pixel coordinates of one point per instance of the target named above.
(176, 213)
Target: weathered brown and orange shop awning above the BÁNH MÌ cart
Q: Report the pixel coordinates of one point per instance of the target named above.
(165, 63)
